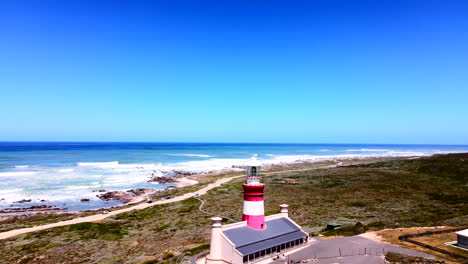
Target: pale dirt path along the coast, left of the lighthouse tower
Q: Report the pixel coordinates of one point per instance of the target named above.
(98, 217)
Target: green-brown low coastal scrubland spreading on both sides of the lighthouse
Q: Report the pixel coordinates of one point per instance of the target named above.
(360, 196)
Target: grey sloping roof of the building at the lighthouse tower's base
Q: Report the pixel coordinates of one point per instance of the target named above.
(278, 231)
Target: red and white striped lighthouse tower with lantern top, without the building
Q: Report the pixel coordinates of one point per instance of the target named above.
(253, 212)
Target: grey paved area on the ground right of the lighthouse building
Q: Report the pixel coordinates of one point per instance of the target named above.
(353, 250)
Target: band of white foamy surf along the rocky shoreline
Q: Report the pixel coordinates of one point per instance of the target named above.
(70, 184)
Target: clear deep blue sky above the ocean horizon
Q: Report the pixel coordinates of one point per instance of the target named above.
(235, 71)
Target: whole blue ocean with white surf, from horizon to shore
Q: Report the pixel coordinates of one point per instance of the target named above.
(63, 173)
